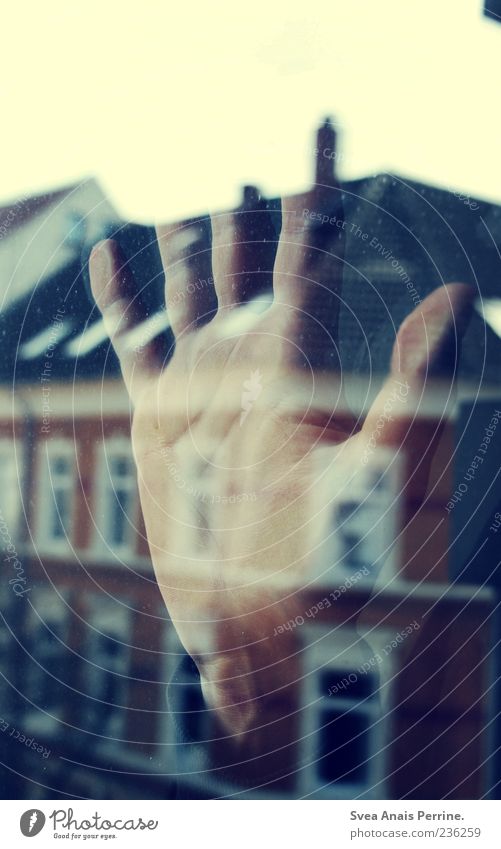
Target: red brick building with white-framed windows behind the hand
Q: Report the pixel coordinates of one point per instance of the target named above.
(86, 646)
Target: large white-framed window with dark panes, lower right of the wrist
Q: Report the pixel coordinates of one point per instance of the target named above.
(344, 729)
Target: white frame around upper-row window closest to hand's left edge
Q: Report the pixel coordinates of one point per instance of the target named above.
(102, 546)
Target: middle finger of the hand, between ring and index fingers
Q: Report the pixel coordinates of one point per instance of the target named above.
(243, 251)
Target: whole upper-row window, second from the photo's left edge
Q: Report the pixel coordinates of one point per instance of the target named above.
(57, 495)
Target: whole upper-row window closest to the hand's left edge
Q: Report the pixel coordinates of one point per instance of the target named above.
(117, 498)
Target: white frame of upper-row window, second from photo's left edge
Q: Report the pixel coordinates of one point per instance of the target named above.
(48, 450)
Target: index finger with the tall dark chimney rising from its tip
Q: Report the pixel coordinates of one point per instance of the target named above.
(308, 268)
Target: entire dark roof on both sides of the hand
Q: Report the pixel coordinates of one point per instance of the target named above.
(428, 234)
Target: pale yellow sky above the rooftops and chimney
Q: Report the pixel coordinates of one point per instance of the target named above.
(173, 106)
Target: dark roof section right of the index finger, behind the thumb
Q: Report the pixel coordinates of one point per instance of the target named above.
(435, 237)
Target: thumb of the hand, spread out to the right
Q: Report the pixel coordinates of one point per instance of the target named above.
(412, 407)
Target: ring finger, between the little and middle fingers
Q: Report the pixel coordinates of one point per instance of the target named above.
(185, 250)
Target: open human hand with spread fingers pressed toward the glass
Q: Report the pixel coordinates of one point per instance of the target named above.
(242, 440)
